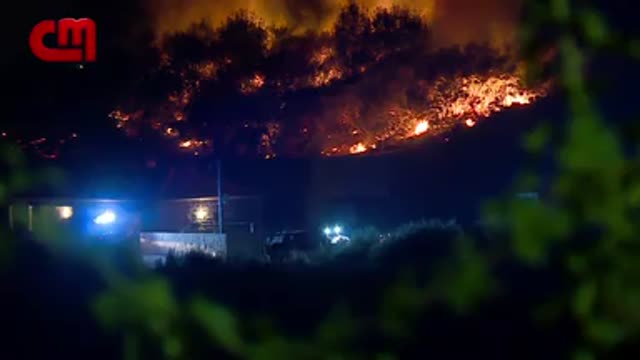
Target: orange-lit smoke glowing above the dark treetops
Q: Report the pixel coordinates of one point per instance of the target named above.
(453, 22)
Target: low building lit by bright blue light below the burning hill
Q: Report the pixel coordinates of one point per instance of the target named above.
(158, 226)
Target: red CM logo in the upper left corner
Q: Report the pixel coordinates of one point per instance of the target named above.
(71, 45)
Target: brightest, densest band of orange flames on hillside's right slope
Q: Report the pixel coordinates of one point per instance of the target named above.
(450, 102)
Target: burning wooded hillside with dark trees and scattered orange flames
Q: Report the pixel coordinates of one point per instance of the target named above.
(370, 82)
